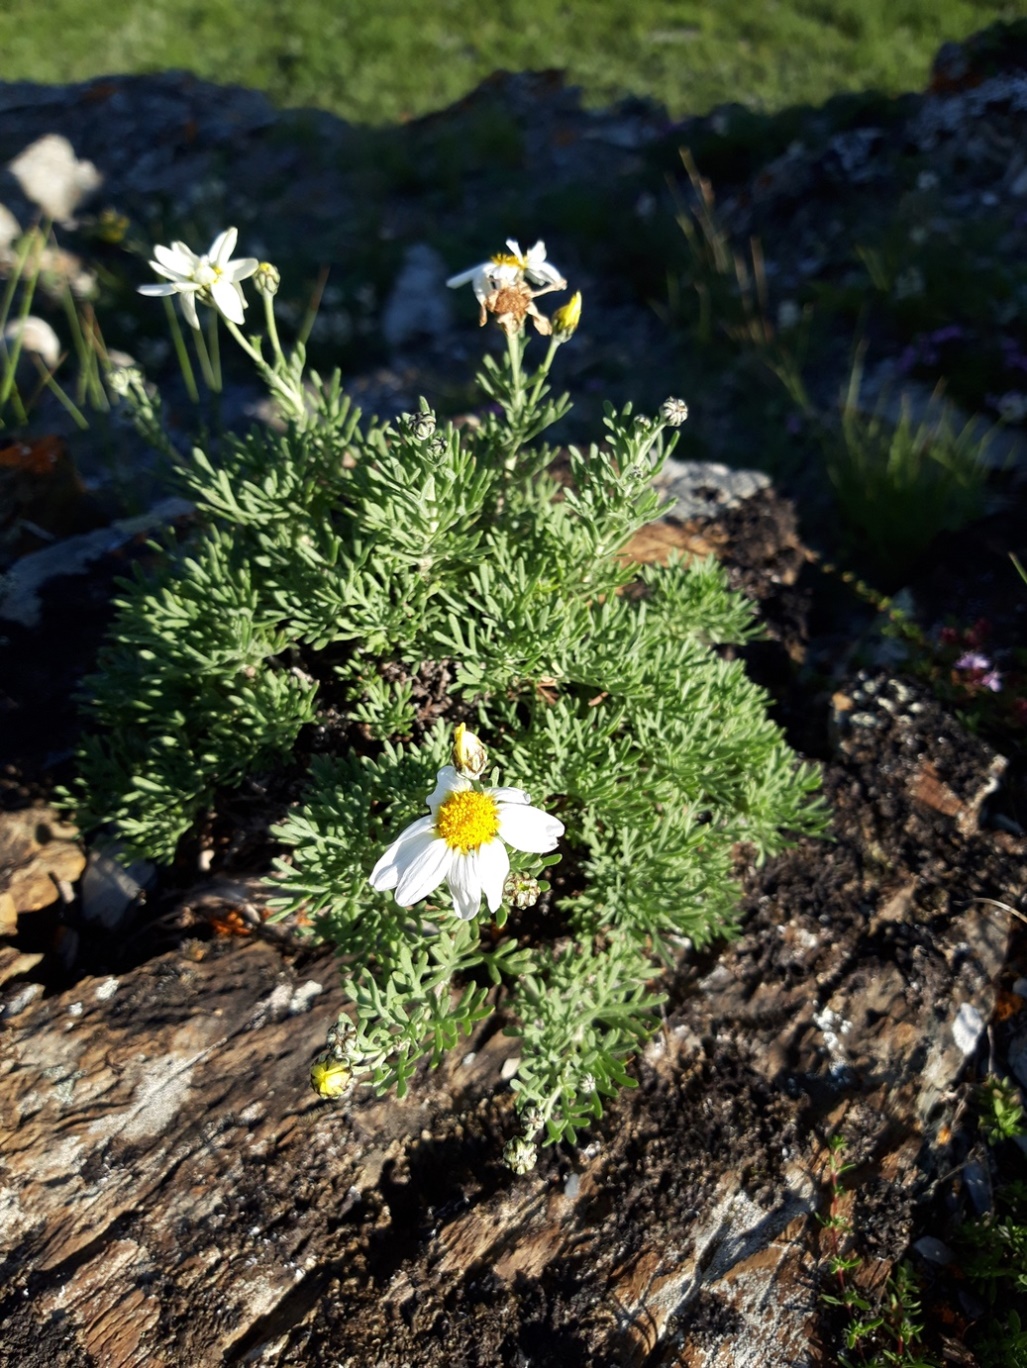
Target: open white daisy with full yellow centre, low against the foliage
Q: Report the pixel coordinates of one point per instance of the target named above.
(464, 845)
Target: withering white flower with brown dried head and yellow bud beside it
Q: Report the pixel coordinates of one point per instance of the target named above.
(504, 288)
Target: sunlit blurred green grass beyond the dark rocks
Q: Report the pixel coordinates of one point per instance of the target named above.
(397, 60)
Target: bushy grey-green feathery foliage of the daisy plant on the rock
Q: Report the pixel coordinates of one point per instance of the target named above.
(382, 582)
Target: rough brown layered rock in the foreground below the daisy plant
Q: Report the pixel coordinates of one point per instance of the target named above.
(173, 1195)
